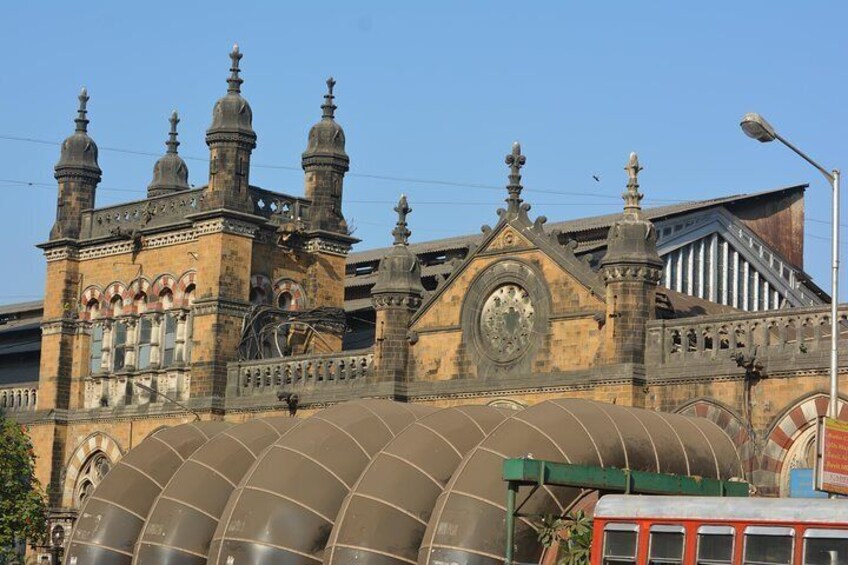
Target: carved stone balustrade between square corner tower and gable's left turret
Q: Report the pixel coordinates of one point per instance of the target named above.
(307, 371)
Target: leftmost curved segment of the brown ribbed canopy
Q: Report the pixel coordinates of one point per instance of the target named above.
(112, 518)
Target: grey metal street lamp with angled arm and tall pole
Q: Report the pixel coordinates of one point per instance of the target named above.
(756, 127)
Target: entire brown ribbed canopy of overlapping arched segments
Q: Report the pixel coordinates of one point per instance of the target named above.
(370, 481)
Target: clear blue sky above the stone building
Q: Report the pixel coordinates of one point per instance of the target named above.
(432, 91)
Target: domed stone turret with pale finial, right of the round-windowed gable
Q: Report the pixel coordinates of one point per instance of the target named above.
(631, 269)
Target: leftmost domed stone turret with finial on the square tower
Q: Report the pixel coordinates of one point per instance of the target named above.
(78, 175)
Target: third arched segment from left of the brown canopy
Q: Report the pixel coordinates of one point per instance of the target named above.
(286, 507)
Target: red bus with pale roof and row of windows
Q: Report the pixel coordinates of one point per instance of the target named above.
(672, 530)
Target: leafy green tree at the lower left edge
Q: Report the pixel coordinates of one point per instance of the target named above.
(23, 510)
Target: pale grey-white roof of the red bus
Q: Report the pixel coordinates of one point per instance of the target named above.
(728, 509)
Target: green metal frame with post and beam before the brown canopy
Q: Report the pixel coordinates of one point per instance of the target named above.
(537, 473)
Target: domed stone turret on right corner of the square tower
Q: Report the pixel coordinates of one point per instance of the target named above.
(325, 164)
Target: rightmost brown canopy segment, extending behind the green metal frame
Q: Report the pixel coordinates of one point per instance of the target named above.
(467, 524)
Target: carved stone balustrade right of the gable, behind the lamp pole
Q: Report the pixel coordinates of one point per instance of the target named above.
(778, 333)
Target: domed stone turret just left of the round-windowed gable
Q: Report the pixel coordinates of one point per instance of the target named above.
(396, 296)
